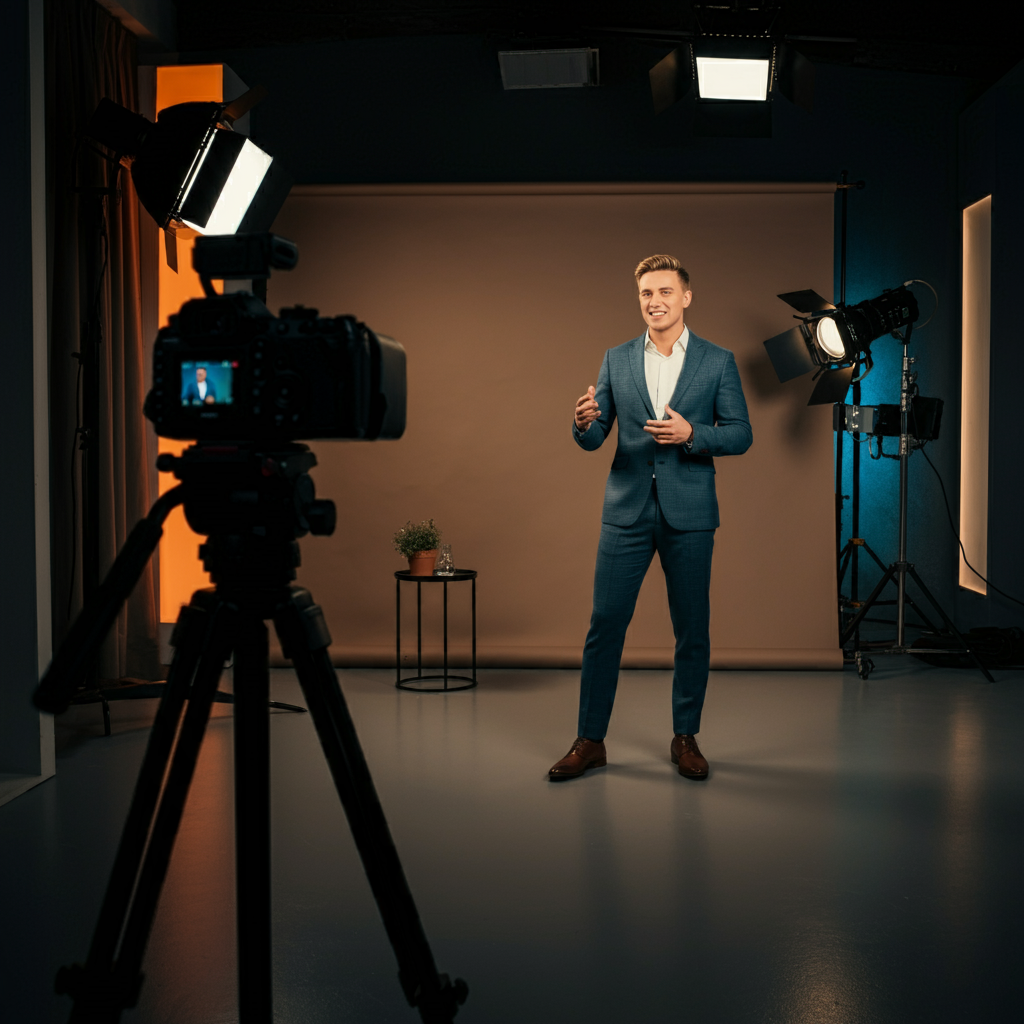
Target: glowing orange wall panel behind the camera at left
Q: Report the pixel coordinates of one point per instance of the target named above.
(181, 571)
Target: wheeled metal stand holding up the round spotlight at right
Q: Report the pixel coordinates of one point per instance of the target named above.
(902, 569)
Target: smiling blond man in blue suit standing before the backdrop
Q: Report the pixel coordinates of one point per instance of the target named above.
(679, 404)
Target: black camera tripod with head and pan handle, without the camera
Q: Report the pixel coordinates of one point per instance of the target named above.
(253, 504)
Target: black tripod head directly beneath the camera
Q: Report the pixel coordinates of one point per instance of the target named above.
(253, 502)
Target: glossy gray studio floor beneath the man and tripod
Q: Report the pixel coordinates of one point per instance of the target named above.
(855, 859)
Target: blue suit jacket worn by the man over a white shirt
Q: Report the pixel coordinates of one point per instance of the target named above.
(709, 396)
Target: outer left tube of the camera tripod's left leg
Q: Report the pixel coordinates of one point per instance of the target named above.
(190, 636)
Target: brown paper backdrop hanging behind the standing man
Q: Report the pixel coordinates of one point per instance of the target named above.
(505, 300)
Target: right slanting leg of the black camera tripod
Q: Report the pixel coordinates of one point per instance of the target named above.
(306, 638)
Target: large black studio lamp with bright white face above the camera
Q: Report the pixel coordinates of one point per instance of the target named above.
(194, 175)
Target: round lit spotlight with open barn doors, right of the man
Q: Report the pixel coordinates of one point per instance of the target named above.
(836, 340)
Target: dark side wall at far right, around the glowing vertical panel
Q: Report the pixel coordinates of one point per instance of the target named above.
(992, 155)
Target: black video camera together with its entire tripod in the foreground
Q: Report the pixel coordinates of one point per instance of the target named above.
(245, 386)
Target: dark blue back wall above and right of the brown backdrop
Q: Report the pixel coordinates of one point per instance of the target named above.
(434, 110)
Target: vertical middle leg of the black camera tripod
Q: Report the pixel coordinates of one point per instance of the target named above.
(252, 823)
